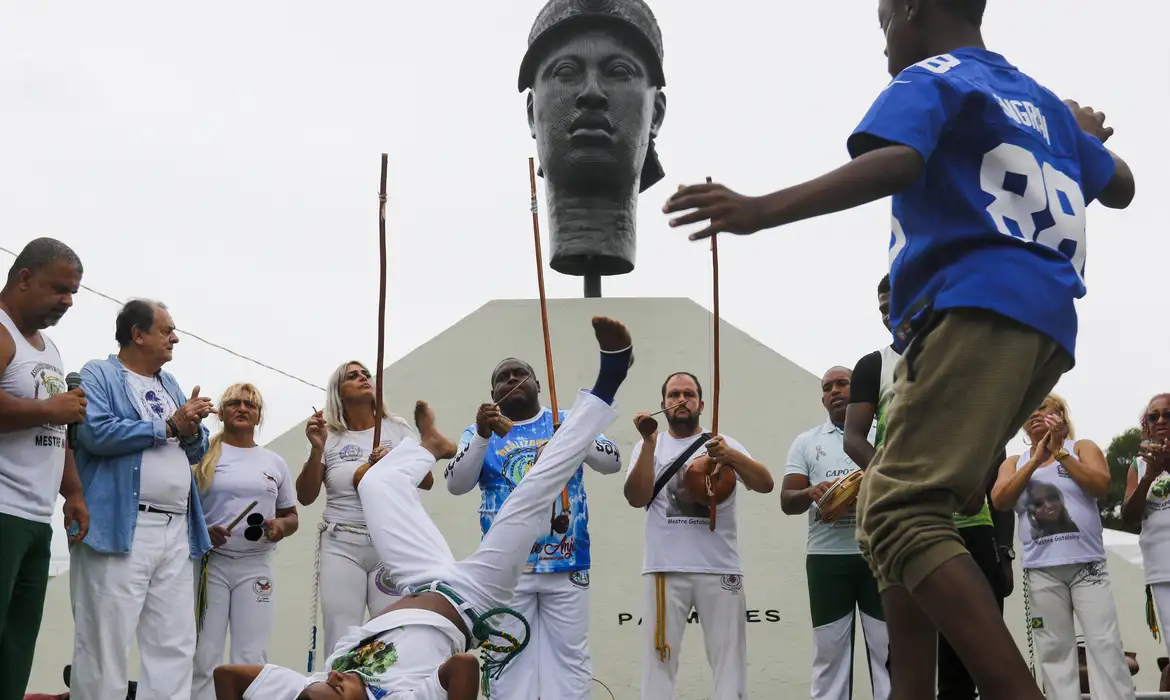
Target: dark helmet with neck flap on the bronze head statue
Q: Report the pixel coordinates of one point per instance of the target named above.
(560, 16)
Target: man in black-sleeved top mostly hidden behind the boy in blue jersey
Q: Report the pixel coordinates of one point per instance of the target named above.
(988, 534)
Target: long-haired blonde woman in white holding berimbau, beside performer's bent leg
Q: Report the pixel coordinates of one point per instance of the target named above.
(350, 580)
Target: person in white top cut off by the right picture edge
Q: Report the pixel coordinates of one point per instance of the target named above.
(1148, 504)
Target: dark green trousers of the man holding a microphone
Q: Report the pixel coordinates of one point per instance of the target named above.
(24, 575)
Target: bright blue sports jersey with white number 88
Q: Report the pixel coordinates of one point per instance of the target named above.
(997, 218)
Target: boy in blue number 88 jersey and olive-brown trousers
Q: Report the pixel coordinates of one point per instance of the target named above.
(990, 176)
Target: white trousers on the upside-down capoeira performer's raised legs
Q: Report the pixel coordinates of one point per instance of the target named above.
(416, 552)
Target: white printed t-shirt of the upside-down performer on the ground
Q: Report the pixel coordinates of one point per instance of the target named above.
(403, 653)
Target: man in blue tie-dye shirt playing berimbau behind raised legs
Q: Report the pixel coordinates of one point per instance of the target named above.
(555, 596)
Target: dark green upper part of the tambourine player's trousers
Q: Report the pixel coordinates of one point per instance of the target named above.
(837, 585)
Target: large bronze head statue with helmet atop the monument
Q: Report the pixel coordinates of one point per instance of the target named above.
(595, 107)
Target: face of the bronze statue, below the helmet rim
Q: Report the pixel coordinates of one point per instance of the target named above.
(593, 112)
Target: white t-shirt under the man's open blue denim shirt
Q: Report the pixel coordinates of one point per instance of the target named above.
(166, 478)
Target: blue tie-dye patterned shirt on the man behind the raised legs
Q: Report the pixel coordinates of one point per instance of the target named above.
(506, 464)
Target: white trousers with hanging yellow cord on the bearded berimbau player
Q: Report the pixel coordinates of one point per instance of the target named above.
(722, 609)
